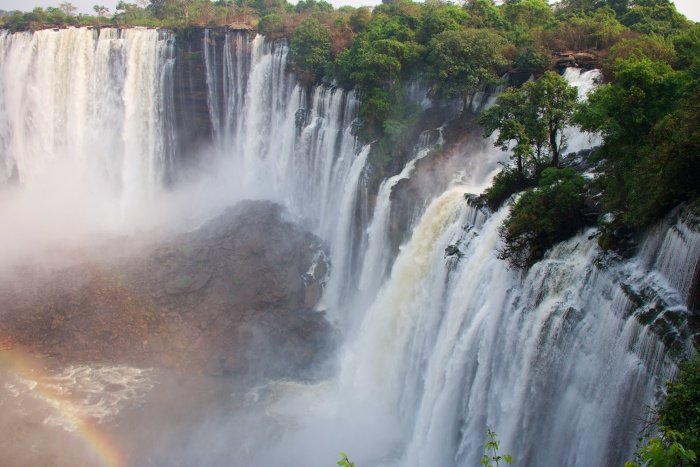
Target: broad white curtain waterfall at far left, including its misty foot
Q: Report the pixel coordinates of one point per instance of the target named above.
(86, 129)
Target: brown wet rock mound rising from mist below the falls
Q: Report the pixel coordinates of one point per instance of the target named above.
(233, 297)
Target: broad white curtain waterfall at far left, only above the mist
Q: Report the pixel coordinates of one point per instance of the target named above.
(98, 105)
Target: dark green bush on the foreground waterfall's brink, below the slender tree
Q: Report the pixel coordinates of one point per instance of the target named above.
(544, 216)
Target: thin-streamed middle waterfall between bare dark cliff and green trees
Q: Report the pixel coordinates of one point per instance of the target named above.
(292, 146)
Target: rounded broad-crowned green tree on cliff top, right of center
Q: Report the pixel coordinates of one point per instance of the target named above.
(462, 61)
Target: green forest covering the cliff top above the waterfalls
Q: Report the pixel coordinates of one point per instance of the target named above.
(646, 108)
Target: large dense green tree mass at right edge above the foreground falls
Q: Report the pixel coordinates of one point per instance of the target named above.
(649, 162)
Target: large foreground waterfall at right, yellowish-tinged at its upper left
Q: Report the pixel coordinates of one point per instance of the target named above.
(557, 360)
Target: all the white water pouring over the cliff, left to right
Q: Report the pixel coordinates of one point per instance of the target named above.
(559, 360)
